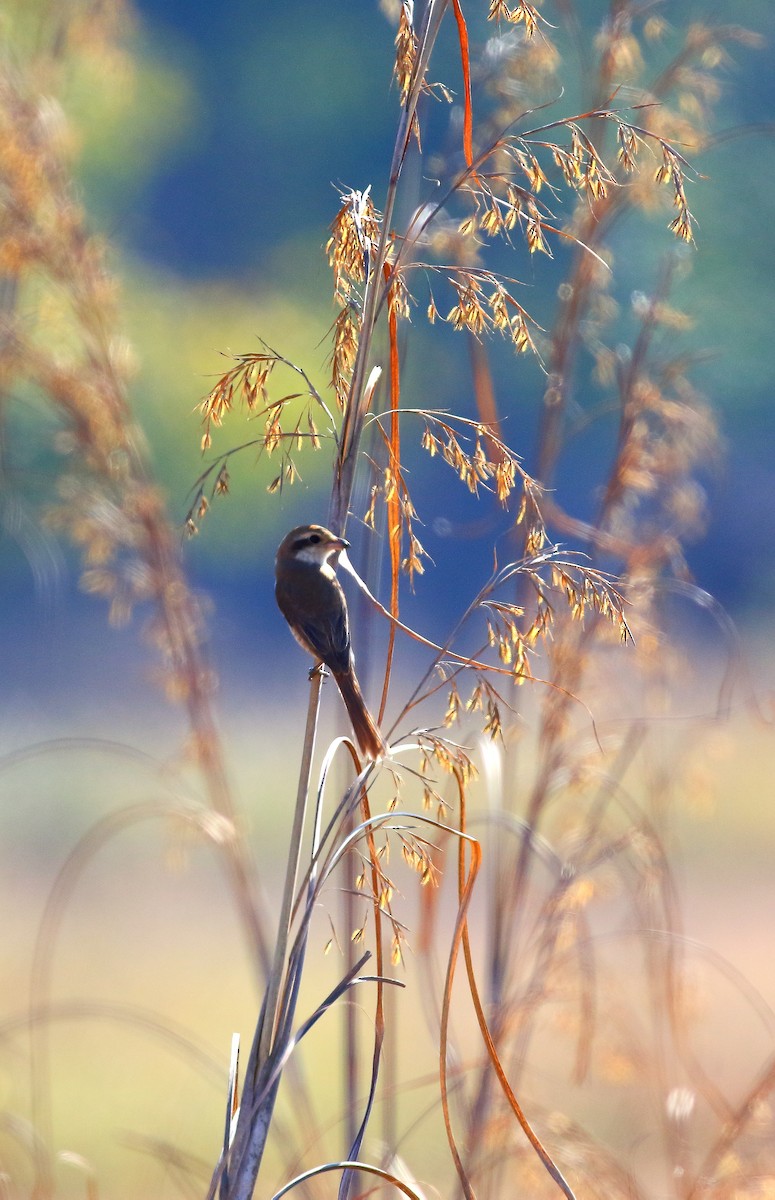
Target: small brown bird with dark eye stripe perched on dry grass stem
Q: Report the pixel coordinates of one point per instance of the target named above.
(313, 602)
